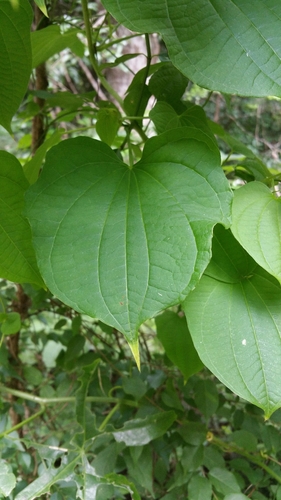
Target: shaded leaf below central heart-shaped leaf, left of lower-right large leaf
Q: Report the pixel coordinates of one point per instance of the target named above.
(173, 332)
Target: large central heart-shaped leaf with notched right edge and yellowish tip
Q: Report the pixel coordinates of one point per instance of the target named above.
(123, 244)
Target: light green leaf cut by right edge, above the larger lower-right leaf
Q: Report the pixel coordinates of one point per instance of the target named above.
(257, 225)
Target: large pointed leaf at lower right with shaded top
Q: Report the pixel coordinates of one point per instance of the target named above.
(234, 317)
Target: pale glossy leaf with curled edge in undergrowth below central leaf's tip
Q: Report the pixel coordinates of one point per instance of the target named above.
(141, 431)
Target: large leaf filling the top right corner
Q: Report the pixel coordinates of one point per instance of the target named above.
(232, 46)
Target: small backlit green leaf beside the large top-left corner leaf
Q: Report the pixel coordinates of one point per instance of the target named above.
(49, 41)
